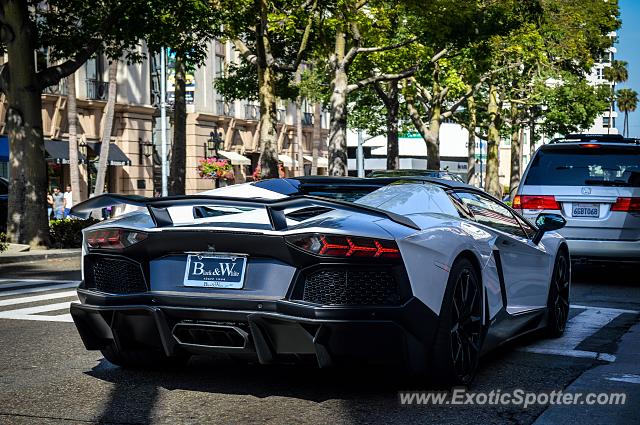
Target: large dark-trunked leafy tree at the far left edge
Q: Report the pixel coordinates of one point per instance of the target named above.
(71, 31)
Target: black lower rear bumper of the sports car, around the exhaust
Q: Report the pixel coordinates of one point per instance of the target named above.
(269, 331)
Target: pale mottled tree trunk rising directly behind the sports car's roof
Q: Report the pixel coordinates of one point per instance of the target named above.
(338, 128)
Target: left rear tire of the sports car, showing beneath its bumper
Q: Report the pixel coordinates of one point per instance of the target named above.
(142, 359)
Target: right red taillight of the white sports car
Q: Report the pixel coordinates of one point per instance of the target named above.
(345, 246)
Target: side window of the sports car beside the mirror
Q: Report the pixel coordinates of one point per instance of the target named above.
(490, 213)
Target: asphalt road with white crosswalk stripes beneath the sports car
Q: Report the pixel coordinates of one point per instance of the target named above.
(47, 377)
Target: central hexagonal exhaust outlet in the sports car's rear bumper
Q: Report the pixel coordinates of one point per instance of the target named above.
(211, 337)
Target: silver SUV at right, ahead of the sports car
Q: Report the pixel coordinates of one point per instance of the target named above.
(594, 182)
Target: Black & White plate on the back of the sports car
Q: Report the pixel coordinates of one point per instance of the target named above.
(215, 271)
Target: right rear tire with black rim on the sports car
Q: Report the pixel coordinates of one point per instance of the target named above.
(460, 334)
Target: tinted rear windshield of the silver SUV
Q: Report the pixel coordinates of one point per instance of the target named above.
(576, 166)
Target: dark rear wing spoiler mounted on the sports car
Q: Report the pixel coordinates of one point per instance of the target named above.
(158, 207)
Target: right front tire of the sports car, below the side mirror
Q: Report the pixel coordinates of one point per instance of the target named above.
(558, 300)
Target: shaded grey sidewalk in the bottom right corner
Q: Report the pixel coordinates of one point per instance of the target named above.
(620, 376)
